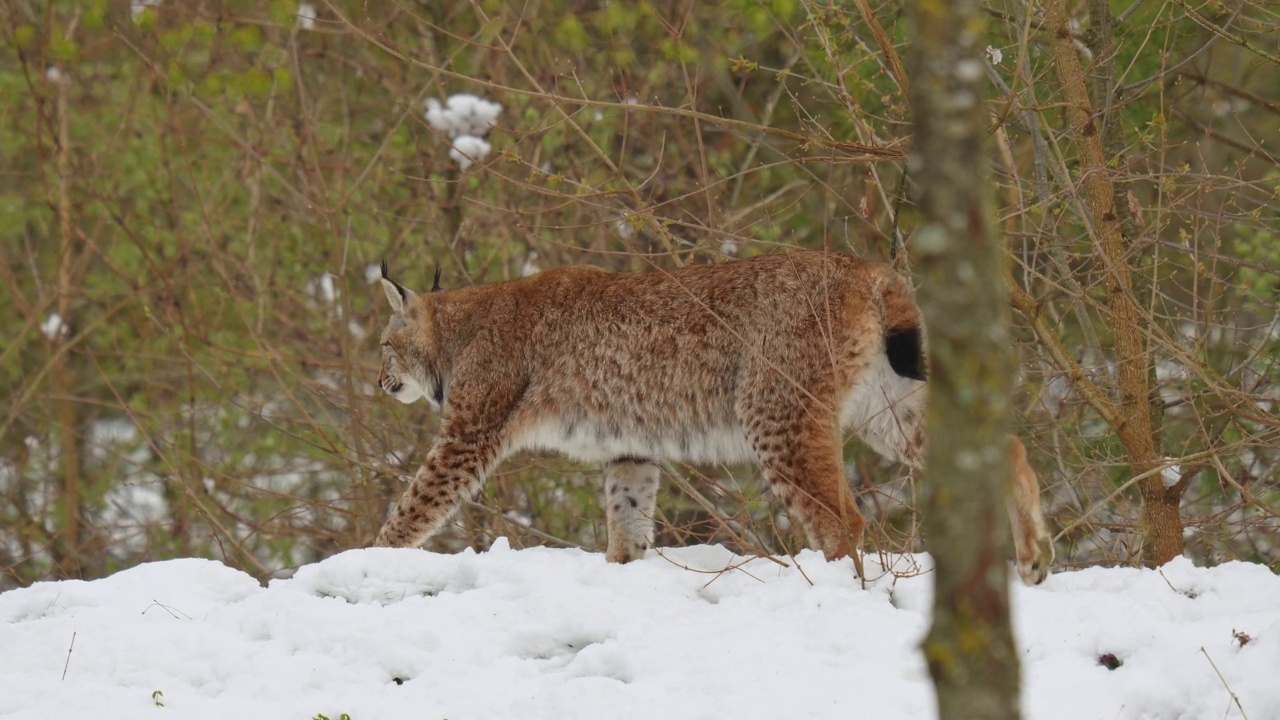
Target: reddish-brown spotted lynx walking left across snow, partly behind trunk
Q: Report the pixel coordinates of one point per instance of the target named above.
(764, 361)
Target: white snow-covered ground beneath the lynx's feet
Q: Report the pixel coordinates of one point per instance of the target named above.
(560, 635)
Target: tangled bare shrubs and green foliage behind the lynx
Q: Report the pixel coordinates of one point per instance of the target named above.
(196, 198)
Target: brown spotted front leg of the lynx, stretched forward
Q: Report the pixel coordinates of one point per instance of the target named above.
(452, 475)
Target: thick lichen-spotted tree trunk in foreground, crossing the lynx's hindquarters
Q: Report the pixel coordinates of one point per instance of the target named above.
(970, 648)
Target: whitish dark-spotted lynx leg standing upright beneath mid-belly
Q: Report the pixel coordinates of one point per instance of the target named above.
(630, 502)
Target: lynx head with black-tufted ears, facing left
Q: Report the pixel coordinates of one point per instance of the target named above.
(409, 371)
